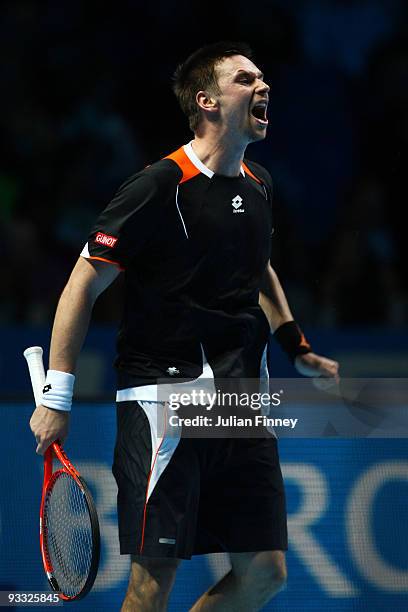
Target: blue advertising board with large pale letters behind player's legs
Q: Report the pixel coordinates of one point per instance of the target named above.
(323, 471)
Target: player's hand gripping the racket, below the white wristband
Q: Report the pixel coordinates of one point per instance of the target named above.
(47, 426)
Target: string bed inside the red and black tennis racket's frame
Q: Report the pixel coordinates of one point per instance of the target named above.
(68, 534)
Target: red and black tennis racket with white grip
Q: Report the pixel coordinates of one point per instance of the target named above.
(69, 527)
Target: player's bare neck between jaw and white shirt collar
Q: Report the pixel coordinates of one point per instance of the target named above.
(218, 156)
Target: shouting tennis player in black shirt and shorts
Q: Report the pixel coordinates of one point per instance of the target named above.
(192, 235)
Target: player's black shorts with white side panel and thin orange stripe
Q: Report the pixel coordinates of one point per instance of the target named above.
(178, 497)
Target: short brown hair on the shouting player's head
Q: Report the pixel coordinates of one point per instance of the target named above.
(198, 73)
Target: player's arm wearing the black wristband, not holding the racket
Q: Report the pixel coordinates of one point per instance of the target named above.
(273, 302)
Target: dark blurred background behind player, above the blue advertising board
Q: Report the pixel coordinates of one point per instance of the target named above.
(87, 101)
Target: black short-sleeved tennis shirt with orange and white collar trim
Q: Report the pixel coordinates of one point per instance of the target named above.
(193, 246)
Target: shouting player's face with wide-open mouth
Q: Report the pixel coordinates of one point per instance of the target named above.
(244, 98)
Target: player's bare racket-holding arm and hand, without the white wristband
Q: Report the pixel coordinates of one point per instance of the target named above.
(88, 280)
